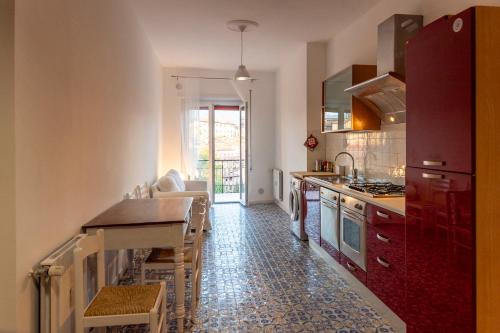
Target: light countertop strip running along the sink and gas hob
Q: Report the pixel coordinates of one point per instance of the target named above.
(394, 204)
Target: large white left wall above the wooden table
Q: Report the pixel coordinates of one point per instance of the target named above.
(88, 96)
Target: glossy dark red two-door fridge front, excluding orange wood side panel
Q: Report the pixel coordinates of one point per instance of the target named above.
(440, 177)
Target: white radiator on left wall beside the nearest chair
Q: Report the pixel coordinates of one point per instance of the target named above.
(56, 284)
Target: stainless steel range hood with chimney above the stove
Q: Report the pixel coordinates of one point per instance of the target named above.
(386, 93)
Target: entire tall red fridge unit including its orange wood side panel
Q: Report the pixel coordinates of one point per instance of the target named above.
(452, 230)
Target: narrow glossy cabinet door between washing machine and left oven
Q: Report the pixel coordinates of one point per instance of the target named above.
(312, 211)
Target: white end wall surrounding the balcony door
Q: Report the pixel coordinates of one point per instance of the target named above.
(262, 136)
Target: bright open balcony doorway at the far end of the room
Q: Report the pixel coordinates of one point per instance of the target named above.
(223, 152)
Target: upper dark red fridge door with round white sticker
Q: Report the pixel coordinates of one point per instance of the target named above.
(439, 95)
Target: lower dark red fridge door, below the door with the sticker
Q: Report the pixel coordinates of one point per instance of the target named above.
(439, 252)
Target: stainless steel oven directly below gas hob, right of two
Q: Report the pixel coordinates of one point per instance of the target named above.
(353, 229)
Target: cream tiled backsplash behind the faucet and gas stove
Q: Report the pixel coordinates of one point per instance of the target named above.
(378, 154)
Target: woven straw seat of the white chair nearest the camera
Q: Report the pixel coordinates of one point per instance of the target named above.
(119, 300)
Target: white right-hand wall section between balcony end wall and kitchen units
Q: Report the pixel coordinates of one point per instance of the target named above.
(291, 117)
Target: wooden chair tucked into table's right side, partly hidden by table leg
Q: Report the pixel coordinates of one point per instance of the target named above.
(163, 259)
